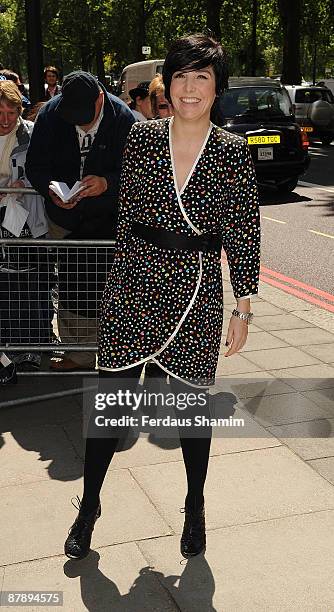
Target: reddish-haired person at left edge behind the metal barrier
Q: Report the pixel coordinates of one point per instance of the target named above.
(24, 299)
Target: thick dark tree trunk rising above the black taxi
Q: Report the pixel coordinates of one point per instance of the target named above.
(290, 11)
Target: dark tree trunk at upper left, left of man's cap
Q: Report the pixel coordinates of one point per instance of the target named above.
(35, 50)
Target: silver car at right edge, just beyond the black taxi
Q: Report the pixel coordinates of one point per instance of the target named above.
(314, 110)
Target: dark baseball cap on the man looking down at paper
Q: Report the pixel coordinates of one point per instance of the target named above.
(80, 91)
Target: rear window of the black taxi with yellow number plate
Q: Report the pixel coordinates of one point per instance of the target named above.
(255, 100)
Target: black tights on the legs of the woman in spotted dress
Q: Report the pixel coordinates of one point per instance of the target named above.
(100, 451)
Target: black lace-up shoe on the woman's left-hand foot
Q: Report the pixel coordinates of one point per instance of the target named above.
(77, 545)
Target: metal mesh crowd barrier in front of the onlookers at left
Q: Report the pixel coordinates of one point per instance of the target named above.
(50, 292)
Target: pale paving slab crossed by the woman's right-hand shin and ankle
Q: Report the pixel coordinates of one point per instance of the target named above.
(241, 487)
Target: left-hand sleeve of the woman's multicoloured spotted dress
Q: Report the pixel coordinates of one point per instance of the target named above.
(128, 187)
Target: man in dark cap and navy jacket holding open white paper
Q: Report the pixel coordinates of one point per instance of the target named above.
(80, 135)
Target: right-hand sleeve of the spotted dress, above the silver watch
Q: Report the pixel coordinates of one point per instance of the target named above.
(241, 223)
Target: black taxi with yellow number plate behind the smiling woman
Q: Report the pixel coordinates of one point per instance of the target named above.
(260, 109)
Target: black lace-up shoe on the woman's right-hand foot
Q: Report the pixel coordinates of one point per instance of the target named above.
(193, 539)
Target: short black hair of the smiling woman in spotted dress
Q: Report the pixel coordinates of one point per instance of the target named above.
(195, 52)
